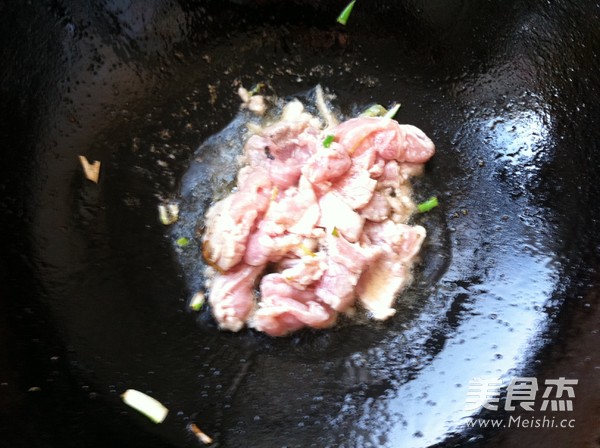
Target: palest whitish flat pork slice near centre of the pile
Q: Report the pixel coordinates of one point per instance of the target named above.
(337, 214)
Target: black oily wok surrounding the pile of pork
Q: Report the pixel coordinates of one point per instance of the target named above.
(93, 289)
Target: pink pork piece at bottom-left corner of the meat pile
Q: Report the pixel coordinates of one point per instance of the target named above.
(232, 296)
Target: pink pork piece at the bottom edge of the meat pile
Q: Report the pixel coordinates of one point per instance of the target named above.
(284, 309)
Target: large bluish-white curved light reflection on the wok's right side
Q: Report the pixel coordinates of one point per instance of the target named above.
(502, 315)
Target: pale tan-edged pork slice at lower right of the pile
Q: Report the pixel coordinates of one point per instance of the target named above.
(390, 273)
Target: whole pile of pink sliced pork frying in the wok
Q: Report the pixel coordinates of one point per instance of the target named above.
(322, 219)
